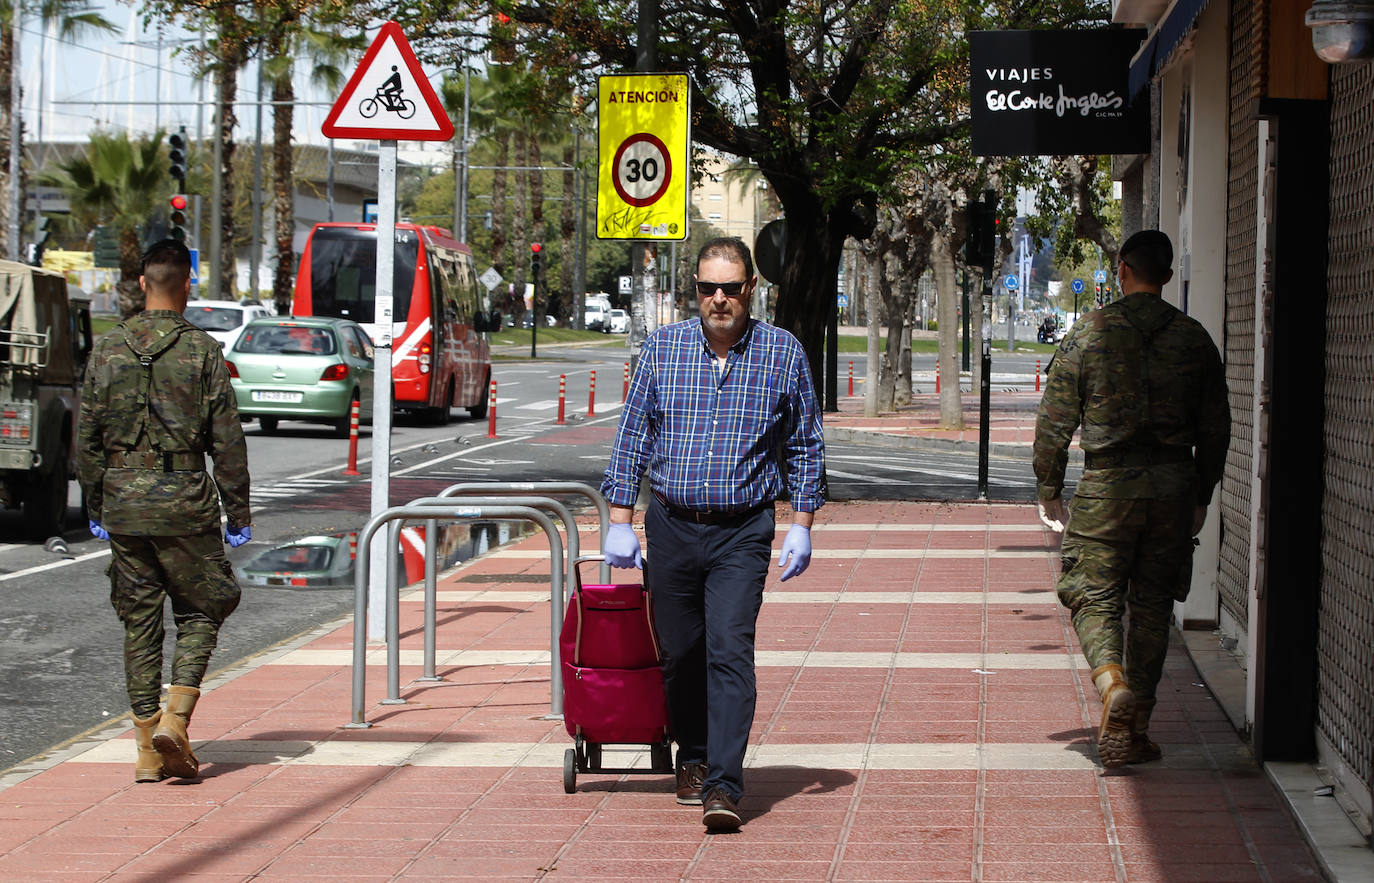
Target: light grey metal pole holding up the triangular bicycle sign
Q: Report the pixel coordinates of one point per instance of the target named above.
(383, 385)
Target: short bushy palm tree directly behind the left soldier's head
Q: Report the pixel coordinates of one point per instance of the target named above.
(122, 183)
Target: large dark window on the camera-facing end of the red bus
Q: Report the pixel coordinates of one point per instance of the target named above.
(344, 274)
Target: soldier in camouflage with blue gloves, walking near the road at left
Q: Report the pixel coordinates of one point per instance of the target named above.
(156, 402)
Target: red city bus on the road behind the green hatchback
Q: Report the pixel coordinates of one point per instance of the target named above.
(440, 356)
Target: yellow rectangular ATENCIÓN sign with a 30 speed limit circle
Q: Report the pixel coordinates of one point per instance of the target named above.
(644, 134)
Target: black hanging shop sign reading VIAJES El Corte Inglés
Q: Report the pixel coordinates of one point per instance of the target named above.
(1056, 93)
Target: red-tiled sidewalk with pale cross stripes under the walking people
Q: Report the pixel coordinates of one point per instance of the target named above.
(924, 715)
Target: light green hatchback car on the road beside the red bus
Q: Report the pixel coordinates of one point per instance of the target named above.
(303, 369)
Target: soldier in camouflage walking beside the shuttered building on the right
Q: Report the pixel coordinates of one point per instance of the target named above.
(1147, 387)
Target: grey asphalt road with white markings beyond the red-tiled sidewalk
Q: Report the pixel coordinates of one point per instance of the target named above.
(61, 658)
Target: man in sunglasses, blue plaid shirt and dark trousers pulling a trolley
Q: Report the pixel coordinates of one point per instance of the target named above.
(723, 415)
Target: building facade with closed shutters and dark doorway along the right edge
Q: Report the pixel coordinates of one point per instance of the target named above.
(1262, 172)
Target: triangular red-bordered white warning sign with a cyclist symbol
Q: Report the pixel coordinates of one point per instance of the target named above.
(390, 97)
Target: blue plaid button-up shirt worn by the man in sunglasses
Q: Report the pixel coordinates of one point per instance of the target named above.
(714, 439)
